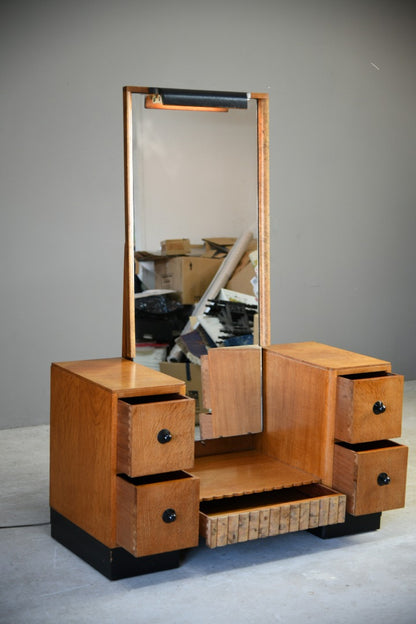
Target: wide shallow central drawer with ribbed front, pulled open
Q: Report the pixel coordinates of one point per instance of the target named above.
(243, 518)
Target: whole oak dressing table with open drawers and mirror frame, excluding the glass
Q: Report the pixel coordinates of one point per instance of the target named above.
(293, 437)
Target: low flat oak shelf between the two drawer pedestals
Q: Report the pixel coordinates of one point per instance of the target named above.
(235, 474)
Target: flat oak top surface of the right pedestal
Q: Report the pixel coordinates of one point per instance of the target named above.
(325, 356)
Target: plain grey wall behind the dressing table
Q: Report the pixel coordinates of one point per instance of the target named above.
(341, 77)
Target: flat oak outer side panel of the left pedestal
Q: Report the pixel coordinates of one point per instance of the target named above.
(83, 454)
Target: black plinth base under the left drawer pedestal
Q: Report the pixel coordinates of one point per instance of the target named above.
(114, 563)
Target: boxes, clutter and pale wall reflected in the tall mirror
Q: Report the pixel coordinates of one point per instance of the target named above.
(194, 188)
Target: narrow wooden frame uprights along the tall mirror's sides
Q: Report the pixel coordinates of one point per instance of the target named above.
(128, 334)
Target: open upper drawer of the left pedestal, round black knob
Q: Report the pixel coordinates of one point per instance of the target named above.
(155, 434)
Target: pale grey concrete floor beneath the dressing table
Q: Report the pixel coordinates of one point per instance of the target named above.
(363, 579)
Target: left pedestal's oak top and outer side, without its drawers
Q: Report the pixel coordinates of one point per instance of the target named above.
(83, 464)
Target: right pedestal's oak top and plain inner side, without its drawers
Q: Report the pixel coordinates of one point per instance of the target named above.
(300, 392)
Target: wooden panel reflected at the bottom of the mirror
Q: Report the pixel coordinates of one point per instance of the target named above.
(235, 375)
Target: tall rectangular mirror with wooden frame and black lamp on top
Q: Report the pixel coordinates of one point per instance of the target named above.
(196, 208)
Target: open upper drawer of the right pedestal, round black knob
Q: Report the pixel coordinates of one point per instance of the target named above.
(369, 407)
